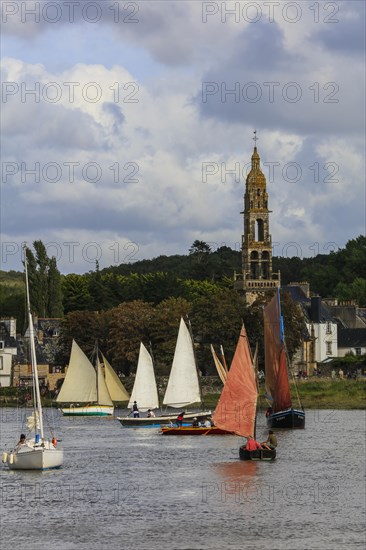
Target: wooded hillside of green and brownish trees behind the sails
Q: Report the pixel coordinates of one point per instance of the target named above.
(122, 305)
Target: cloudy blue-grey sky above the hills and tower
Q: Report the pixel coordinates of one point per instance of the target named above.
(127, 126)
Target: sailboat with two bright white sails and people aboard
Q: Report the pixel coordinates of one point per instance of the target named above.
(183, 385)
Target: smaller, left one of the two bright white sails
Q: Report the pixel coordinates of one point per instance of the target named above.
(144, 391)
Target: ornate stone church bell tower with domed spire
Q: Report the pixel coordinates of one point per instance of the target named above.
(256, 276)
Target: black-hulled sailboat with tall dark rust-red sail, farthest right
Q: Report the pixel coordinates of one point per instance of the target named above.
(281, 413)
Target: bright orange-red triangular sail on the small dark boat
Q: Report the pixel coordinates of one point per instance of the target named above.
(236, 409)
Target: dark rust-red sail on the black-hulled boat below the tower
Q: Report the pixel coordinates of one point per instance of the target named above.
(277, 384)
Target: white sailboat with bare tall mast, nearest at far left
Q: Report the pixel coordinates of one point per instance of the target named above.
(37, 452)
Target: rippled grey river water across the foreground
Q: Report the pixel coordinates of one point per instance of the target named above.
(123, 488)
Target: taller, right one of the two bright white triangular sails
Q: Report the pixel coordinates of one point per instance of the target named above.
(183, 385)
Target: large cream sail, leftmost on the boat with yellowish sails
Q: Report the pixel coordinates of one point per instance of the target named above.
(80, 384)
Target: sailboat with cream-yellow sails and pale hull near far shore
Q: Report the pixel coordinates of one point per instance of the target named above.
(85, 384)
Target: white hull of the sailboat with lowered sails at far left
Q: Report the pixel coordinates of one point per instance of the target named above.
(36, 457)
